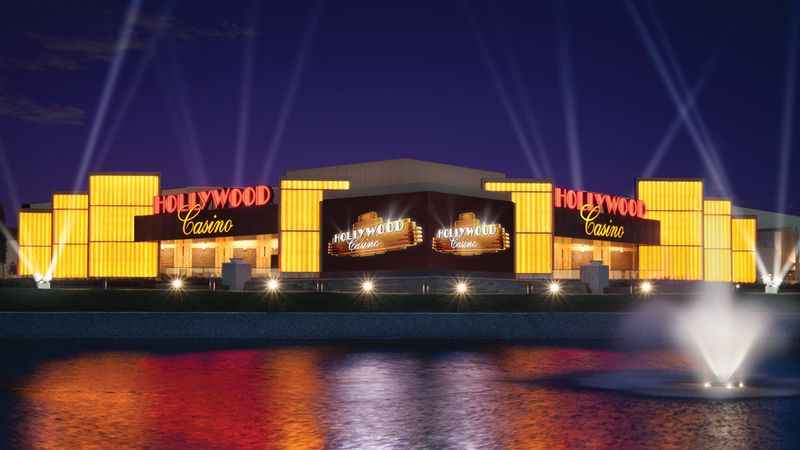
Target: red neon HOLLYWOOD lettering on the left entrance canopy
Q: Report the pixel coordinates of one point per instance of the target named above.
(219, 198)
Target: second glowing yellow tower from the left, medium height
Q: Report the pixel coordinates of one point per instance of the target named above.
(70, 235)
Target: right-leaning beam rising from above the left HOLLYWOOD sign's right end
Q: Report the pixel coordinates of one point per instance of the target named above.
(291, 92)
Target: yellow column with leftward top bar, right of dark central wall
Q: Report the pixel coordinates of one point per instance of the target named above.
(533, 223)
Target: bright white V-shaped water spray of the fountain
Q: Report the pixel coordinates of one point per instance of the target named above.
(721, 335)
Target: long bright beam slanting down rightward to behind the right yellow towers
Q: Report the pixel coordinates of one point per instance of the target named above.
(666, 78)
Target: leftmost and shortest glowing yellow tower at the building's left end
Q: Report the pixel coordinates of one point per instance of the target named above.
(35, 239)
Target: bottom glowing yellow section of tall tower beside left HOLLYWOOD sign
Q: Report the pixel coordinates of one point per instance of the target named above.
(123, 259)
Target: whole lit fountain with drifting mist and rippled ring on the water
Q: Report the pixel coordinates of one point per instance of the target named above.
(722, 338)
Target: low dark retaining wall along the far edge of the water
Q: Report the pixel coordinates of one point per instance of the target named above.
(328, 327)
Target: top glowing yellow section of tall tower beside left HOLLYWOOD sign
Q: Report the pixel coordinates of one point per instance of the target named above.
(123, 189)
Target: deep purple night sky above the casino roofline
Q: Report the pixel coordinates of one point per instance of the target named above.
(307, 83)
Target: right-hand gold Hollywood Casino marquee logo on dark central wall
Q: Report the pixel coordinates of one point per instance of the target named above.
(469, 237)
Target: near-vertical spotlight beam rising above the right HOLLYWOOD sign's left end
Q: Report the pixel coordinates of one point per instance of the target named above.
(568, 95)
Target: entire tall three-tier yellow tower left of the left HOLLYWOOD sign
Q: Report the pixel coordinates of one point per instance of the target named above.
(114, 200)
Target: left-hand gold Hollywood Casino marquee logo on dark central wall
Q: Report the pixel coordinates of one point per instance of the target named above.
(371, 235)
